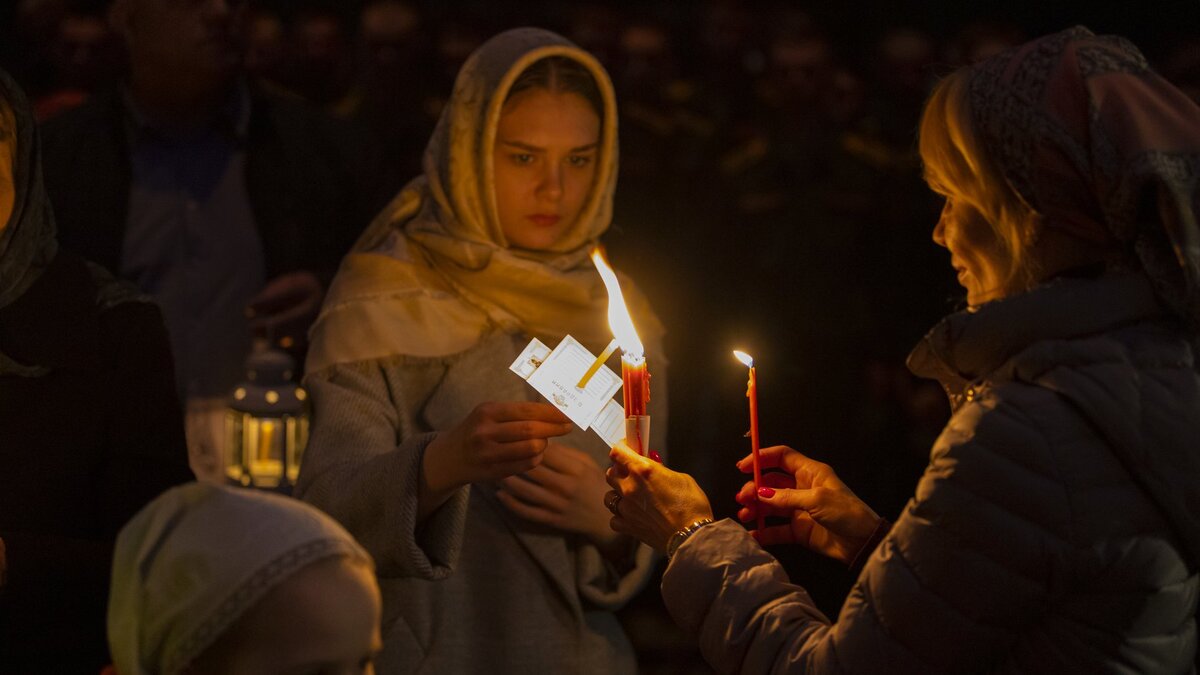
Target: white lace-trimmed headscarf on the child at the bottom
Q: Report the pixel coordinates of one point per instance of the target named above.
(196, 559)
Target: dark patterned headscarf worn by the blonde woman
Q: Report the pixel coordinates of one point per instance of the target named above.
(1102, 147)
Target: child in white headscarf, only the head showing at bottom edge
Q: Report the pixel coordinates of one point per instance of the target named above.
(218, 581)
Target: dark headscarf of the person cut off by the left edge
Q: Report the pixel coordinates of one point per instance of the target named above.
(28, 244)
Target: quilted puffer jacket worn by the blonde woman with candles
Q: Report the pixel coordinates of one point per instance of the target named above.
(1055, 529)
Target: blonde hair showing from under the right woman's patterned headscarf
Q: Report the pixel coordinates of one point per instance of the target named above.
(961, 168)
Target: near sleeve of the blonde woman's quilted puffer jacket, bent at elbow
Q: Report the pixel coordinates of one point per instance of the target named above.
(967, 566)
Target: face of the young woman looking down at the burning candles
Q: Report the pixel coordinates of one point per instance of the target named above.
(544, 163)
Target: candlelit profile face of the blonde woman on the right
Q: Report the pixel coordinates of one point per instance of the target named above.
(976, 252)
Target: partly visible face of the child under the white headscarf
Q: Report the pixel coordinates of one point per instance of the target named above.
(323, 620)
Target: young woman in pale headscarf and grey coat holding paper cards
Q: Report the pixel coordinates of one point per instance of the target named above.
(493, 545)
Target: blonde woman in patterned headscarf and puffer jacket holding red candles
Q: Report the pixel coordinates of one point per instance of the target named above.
(1058, 525)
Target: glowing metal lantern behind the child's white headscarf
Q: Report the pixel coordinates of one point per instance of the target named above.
(267, 425)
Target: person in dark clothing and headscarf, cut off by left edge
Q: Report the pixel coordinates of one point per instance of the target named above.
(91, 428)
